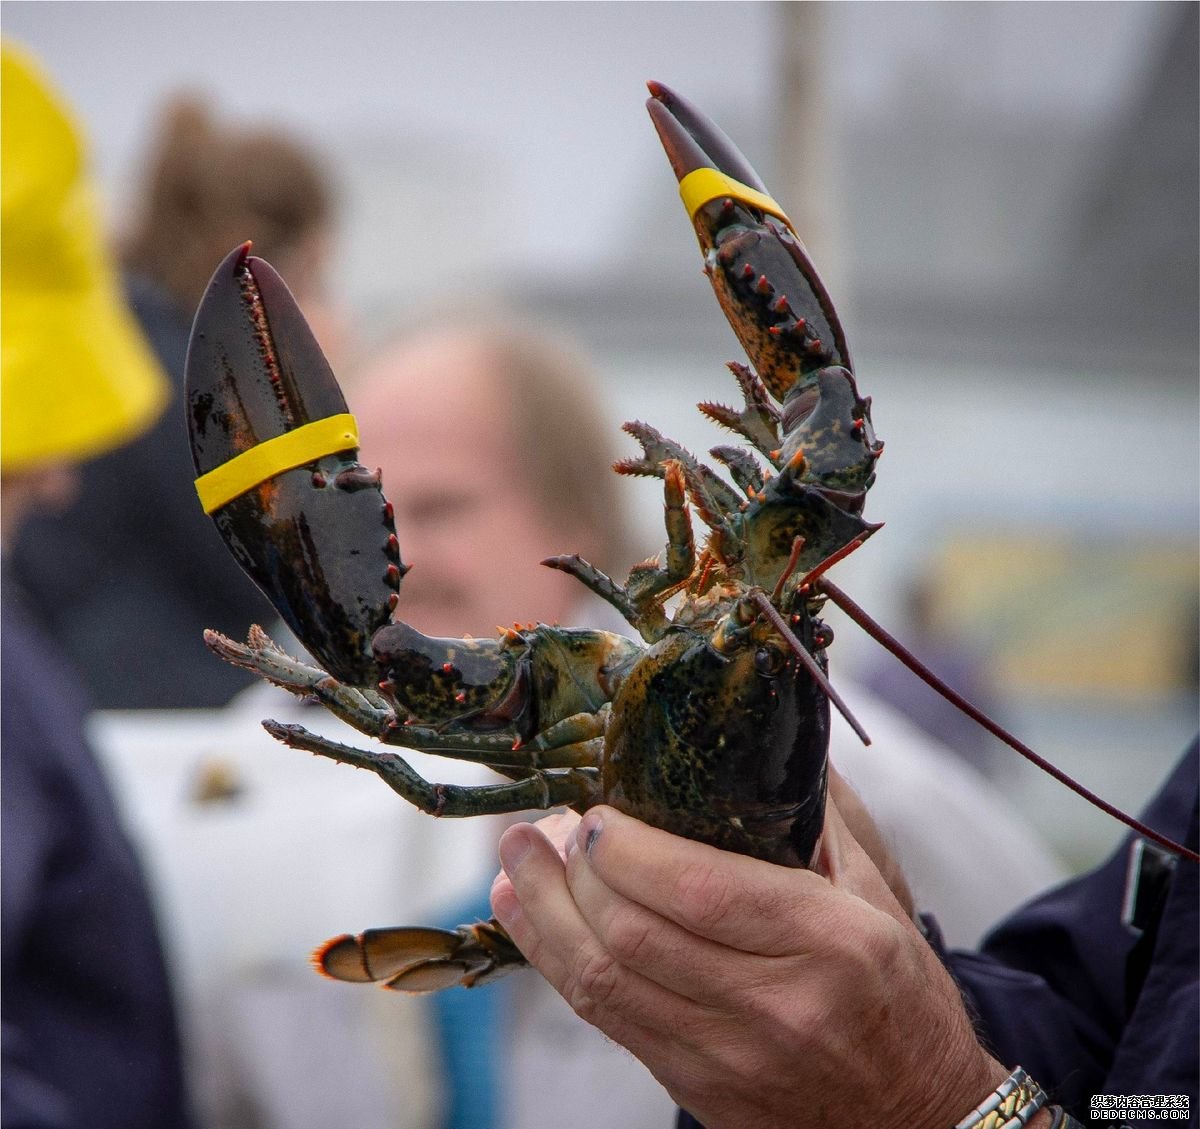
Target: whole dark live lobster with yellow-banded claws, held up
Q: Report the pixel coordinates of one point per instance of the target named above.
(715, 726)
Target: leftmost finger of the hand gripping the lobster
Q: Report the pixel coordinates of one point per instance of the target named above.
(548, 927)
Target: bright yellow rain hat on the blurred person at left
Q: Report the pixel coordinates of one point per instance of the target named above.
(79, 379)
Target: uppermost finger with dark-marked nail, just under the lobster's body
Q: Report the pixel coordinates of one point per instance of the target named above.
(730, 899)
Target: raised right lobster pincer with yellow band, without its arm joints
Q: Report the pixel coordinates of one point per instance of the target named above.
(764, 278)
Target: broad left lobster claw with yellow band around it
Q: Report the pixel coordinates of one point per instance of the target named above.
(275, 453)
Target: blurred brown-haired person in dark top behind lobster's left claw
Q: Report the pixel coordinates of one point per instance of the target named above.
(130, 575)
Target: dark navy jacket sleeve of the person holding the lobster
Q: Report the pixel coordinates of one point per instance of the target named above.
(1085, 1004)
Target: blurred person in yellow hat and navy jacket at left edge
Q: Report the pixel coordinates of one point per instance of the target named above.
(89, 1028)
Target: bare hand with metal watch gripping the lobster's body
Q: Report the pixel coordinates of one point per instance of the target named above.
(755, 994)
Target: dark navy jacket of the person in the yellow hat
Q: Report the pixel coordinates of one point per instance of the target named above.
(89, 1024)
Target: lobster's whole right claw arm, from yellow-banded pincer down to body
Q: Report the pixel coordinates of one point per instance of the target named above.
(782, 314)
